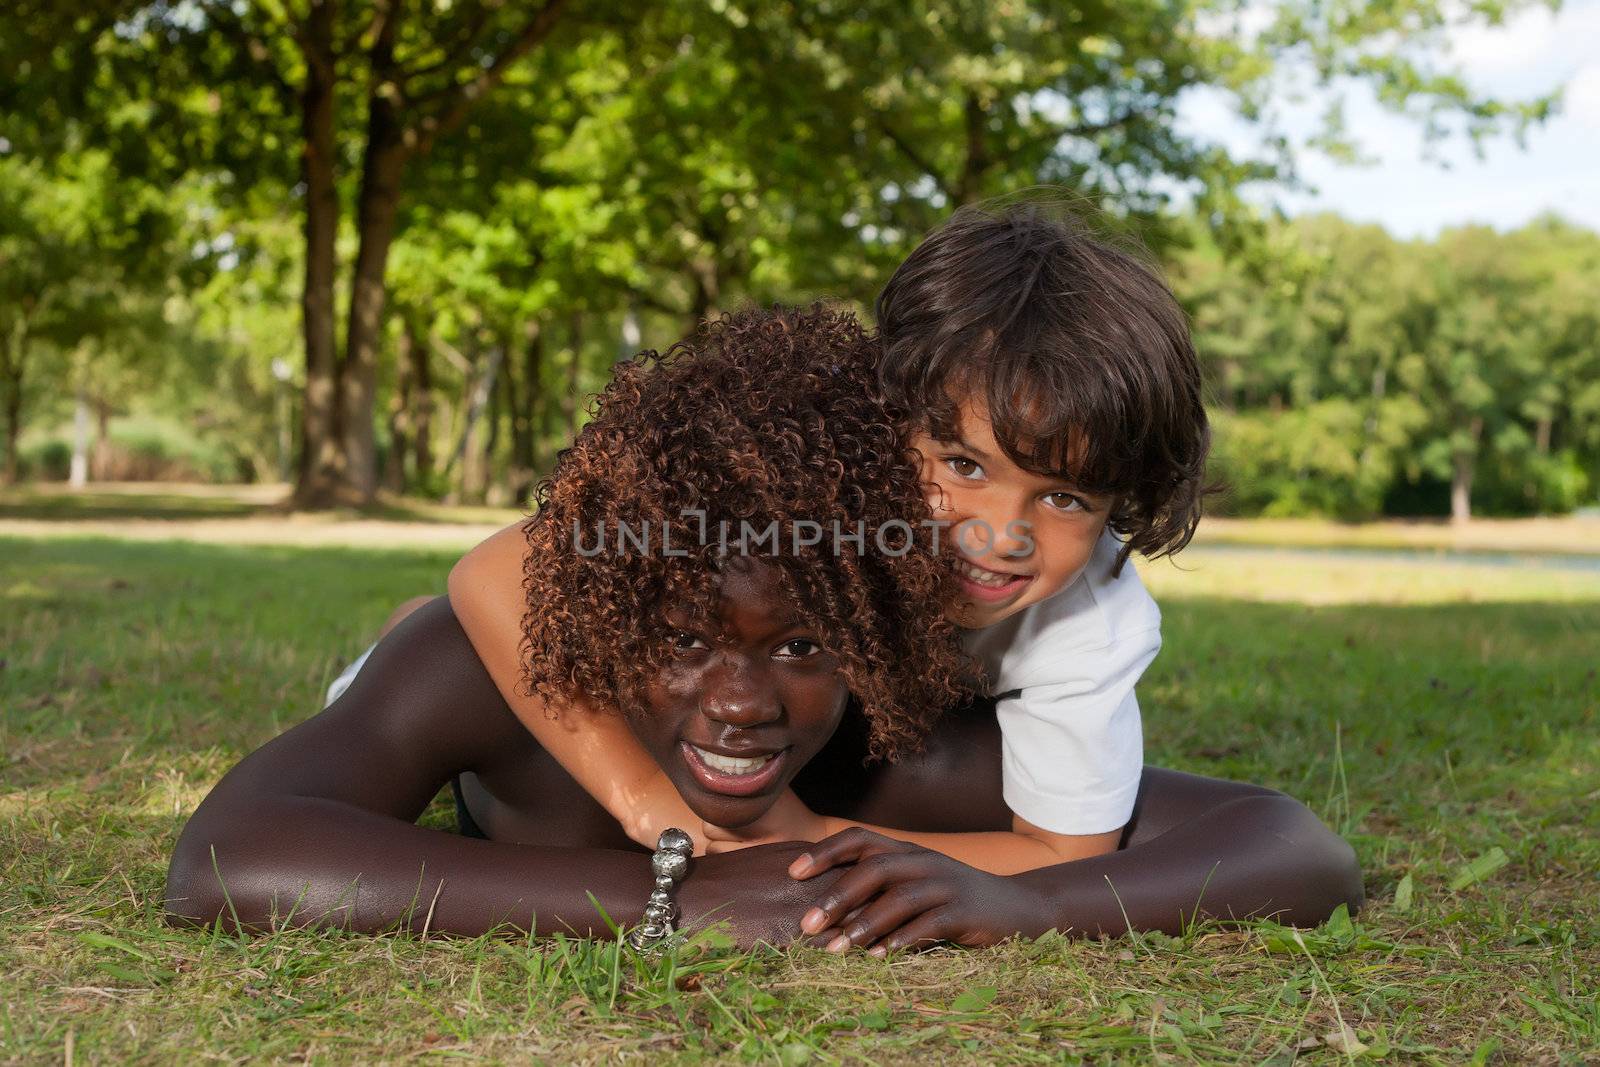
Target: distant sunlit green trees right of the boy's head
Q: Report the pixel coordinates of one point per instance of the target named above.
(1356, 375)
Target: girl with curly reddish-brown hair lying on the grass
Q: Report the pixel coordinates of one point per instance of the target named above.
(745, 668)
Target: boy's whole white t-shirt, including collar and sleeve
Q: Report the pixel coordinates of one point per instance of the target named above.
(1063, 674)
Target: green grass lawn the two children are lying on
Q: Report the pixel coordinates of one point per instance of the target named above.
(1444, 717)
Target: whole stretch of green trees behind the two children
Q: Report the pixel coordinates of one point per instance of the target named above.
(393, 244)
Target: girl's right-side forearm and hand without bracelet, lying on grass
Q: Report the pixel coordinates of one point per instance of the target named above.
(1198, 847)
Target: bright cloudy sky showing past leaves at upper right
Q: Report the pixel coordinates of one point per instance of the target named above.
(1559, 170)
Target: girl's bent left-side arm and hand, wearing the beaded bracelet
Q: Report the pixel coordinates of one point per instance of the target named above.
(316, 828)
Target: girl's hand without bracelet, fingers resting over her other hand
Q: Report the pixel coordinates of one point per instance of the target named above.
(902, 895)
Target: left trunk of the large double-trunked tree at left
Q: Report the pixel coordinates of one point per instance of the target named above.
(322, 452)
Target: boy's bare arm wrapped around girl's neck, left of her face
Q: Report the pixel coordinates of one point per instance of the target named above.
(594, 746)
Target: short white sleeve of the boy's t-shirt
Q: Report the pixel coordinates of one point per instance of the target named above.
(1073, 749)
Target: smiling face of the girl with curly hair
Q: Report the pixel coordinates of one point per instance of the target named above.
(745, 705)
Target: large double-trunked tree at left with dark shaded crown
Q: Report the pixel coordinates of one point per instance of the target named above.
(214, 70)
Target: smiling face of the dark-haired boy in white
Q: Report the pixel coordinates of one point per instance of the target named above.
(1022, 537)
